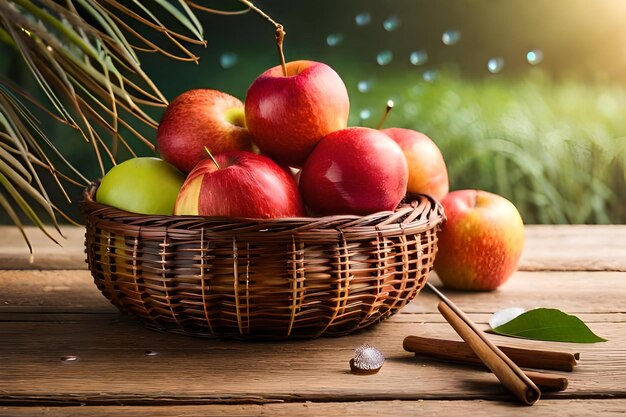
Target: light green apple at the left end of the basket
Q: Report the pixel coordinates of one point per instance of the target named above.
(141, 185)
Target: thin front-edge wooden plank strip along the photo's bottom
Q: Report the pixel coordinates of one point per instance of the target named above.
(546, 408)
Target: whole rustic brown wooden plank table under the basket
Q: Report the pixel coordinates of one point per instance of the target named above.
(50, 309)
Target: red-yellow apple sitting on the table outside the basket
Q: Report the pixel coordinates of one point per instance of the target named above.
(481, 241)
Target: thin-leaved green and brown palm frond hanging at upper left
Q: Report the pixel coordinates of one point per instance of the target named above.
(83, 54)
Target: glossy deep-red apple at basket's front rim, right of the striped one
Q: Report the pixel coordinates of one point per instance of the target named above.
(354, 171)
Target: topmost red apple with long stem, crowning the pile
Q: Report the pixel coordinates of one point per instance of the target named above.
(289, 115)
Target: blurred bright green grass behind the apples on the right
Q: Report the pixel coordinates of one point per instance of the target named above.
(556, 149)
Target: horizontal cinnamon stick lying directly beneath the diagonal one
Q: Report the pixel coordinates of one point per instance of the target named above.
(460, 352)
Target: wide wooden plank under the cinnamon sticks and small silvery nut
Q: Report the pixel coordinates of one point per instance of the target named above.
(112, 367)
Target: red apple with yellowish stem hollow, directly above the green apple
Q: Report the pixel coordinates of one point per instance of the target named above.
(201, 118)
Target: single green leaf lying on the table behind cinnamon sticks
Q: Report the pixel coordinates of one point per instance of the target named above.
(548, 324)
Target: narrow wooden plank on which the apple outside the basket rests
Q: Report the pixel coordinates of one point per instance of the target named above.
(573, 292)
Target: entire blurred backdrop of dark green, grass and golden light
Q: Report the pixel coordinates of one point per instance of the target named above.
(525, 98)
